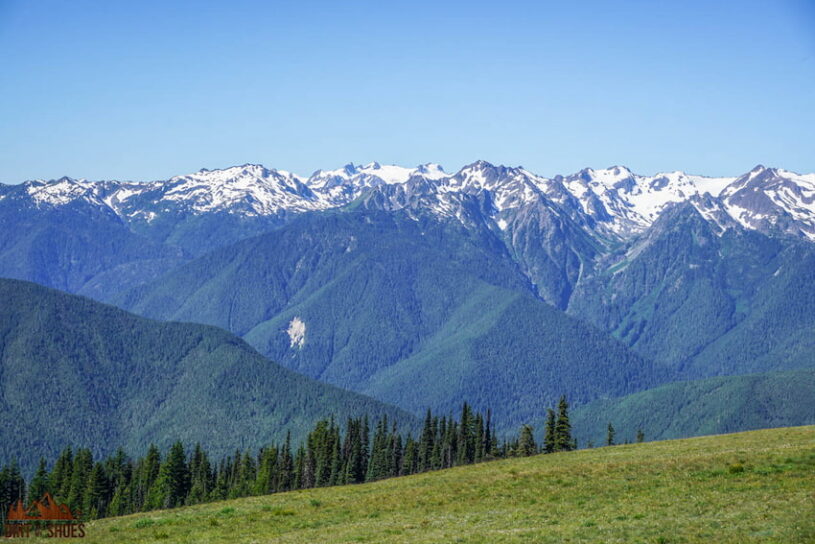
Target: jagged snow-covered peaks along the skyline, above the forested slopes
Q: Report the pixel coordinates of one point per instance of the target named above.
(613, 203)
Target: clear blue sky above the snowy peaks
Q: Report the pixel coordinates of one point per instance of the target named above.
(147, 90)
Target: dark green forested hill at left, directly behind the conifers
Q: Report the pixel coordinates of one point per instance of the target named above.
(74, 371)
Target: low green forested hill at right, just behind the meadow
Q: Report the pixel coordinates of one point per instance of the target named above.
(710, 406)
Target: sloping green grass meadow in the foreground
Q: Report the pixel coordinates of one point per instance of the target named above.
(749, 487)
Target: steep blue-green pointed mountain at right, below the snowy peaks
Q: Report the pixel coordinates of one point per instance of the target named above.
(694, 297)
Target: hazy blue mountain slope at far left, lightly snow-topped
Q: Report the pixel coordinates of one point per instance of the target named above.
(75, 243)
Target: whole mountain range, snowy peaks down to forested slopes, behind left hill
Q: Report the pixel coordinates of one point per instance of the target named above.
(423, 288)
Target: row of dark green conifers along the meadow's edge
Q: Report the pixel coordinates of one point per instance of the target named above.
(330, 455)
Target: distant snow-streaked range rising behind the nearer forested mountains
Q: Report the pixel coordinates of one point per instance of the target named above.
(556, 227)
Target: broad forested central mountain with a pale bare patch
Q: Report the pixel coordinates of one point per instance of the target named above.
(399, 306)
